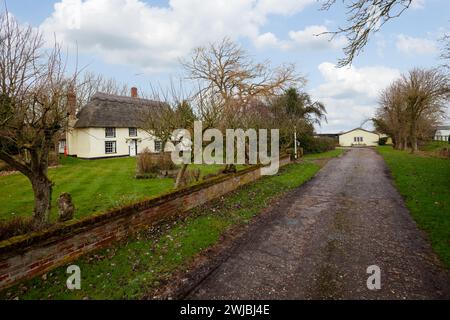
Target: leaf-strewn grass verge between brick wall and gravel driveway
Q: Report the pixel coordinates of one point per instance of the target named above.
(132, 268)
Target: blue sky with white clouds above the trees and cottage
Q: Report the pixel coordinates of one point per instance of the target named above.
(141, 42)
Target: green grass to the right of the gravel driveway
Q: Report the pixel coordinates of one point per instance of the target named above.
(424, 182)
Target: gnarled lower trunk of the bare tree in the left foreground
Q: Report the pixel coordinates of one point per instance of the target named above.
(42, 188)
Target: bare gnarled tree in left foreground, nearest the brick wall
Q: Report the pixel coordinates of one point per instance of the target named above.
(33, 91)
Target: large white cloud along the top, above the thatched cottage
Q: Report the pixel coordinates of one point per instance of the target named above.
(152, 37)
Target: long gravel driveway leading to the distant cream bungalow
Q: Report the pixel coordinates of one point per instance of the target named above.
(320, 239)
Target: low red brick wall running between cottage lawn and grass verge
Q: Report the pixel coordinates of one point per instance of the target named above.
(27, 256)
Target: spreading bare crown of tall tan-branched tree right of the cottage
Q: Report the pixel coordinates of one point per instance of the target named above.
(227, 74)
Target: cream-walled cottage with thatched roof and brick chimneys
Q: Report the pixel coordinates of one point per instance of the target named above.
(109, 126)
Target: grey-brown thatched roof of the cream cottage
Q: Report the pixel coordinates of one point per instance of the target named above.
(107, 110)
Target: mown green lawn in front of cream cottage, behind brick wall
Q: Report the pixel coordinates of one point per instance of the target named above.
(95, 186)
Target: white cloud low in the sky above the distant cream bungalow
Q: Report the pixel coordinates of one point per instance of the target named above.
(350, 94)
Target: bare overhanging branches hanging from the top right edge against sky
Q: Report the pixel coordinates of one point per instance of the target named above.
(364, 17)
